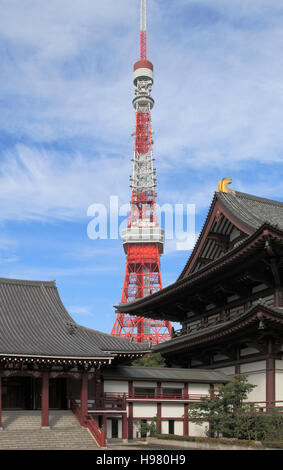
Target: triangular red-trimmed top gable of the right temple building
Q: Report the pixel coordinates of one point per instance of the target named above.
(232, 217)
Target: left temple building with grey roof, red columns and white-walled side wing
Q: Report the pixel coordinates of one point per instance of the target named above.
(49, 362)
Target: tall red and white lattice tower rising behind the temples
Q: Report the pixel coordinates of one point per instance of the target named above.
(143, 239)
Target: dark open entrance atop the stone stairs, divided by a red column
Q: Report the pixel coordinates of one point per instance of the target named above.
(24, 393)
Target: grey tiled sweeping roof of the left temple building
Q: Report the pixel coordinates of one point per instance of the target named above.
(34, 322)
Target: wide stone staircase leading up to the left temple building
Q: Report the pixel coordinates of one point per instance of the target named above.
(22, 431)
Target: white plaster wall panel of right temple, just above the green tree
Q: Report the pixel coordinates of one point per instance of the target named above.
(257, 376)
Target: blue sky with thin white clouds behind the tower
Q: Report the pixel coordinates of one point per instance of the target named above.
(66, 121)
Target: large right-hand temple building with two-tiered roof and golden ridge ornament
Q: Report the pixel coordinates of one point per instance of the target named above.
(229, 296)
